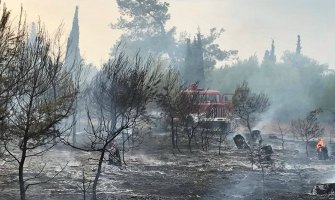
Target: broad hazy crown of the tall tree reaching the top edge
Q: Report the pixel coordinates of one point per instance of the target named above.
(144, 26)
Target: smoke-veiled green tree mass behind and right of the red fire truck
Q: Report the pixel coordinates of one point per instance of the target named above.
(295, 85)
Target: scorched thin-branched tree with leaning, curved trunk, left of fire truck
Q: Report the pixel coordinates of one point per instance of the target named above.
(119, 96)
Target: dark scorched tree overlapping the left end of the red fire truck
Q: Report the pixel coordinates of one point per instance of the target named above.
(180, 107)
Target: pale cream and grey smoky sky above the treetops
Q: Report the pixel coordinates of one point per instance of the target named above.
(250, 24)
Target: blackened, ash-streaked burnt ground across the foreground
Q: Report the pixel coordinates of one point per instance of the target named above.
(155, 171)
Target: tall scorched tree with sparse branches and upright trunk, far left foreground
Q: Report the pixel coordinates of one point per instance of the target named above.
(34, 109)
